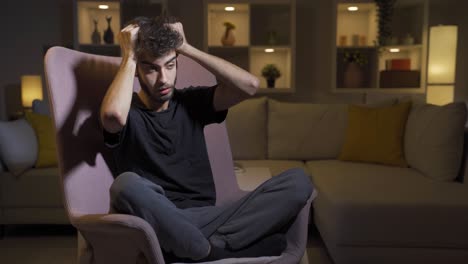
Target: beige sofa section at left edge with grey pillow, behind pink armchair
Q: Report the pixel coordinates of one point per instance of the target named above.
(28, 195)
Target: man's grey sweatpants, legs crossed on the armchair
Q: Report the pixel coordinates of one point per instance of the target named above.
(188, 232)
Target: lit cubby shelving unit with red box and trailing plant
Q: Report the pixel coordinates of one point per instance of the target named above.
(357, 33)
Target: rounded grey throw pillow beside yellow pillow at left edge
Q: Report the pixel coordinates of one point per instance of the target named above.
(18, 145)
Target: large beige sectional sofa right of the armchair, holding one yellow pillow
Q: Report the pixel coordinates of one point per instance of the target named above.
(367, 212)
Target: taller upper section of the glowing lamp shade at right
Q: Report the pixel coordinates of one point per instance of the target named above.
(442, 54)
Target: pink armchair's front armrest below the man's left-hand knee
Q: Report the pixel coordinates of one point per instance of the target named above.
(118, 238)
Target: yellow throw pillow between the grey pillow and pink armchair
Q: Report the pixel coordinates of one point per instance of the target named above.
(44, 129)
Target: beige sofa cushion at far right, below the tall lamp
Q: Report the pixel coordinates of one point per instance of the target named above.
(434, 139)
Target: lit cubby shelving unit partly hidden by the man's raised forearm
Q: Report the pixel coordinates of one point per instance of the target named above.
(264, 34)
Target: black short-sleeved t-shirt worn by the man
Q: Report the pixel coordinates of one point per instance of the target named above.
(168, 147)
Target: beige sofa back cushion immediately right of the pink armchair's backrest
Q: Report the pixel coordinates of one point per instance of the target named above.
(246, 125)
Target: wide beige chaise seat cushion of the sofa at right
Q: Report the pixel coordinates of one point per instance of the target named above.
(363, 204)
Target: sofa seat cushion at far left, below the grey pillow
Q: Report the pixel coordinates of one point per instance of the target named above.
(34, 188)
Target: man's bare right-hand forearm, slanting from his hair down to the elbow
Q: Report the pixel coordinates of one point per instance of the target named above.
(227, 73)
